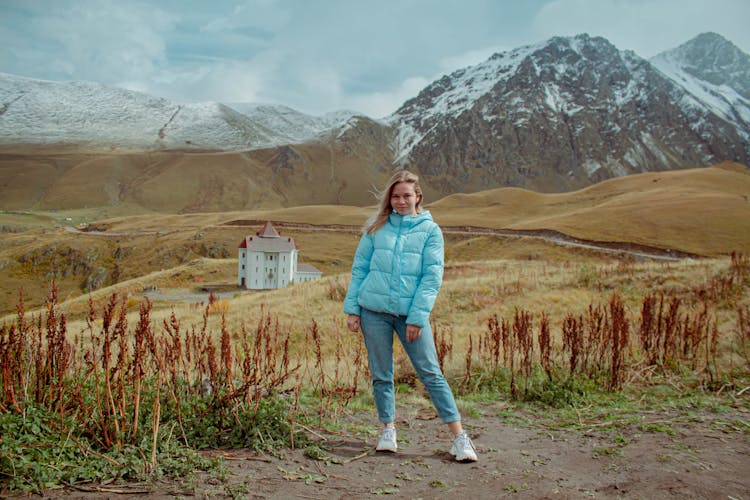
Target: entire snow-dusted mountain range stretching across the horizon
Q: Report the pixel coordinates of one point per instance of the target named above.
(553, 116)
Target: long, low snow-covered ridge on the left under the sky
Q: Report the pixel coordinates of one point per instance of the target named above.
(97, 117)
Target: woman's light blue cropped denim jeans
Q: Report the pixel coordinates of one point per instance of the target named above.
(377, 330)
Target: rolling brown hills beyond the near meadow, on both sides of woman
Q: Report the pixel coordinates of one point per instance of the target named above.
(701, 211)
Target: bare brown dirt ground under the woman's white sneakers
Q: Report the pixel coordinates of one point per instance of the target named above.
(696, 454)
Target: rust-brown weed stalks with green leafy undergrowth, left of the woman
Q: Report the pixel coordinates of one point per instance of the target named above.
(128, 408)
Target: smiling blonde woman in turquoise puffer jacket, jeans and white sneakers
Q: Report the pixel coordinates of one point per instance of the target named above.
(396, 275)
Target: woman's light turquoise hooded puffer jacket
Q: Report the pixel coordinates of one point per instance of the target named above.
(399, 269)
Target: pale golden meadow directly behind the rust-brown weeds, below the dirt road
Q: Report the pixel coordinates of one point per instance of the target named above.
(557, 284)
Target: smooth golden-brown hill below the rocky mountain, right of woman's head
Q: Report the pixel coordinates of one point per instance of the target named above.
(704, 211)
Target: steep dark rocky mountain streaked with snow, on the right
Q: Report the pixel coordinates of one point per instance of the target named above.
(570, 111)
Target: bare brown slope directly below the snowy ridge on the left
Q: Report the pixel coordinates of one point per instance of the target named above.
(47, 178)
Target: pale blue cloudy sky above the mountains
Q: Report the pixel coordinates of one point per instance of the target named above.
(321, 55)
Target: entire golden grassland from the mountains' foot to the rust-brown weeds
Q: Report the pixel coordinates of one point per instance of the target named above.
(701, 211)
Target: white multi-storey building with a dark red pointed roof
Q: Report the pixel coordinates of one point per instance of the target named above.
(268, 260)
